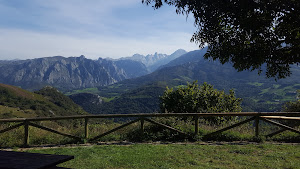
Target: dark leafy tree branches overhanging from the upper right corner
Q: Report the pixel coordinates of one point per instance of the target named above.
(248, 33)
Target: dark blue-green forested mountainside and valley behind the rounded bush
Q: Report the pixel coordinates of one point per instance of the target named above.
(140, 95)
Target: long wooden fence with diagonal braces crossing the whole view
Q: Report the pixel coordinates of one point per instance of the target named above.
(254, 116)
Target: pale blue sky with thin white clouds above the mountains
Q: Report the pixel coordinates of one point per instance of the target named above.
(93, 28)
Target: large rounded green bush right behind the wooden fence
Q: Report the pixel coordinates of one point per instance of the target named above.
(195, 99)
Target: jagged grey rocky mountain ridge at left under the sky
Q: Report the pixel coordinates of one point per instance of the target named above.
(68, 73)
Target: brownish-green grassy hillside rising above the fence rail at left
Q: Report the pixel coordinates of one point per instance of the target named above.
(16, 102)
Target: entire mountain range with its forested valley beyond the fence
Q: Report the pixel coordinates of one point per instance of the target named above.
(134, 84)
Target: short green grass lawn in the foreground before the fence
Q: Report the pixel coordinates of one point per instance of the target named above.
(181, 156)
